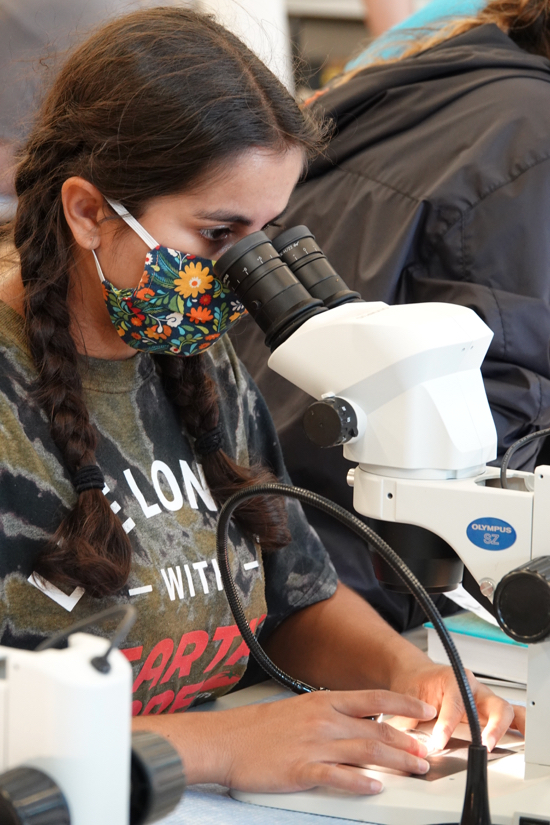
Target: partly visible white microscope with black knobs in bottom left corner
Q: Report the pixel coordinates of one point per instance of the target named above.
(67, 753)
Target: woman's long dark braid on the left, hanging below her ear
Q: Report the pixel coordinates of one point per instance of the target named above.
(90, 547)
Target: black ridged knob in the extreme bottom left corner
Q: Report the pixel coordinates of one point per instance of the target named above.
(30, 797)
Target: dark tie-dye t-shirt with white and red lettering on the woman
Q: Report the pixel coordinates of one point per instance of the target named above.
(185, 645)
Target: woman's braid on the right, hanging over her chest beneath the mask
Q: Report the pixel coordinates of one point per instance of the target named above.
(193, 391)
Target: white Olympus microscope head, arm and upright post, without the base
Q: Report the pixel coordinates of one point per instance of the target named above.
(406, 384)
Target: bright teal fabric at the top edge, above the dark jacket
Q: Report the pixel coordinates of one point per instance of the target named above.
(391, 43)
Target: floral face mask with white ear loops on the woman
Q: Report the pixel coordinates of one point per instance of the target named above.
(179, 306)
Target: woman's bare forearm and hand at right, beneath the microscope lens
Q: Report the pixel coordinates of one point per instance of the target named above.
(344, 644)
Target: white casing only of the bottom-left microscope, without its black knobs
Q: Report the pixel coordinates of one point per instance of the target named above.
(58, 714)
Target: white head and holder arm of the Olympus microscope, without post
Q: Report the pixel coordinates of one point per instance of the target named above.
(422, 429)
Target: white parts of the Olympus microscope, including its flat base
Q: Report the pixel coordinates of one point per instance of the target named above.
(424, 435)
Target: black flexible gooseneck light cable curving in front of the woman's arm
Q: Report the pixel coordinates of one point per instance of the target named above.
(476, 803)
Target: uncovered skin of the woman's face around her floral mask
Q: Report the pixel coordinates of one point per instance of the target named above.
(247, 197)
